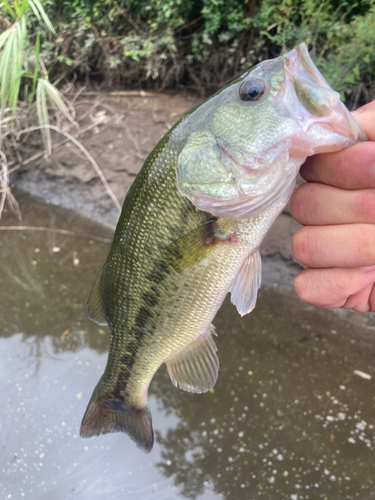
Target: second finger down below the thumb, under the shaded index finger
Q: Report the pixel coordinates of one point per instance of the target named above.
(318, 204)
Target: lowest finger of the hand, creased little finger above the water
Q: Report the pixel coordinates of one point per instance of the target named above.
(331, 288)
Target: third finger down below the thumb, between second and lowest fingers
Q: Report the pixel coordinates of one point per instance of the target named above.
(349, 245)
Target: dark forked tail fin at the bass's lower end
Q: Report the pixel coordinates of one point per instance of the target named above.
(106, 414)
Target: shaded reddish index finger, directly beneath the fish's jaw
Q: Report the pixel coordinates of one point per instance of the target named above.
(351, 168)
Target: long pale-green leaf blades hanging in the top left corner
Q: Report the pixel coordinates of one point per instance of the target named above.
(23, 74)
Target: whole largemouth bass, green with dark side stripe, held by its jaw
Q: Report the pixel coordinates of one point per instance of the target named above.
(190, 230)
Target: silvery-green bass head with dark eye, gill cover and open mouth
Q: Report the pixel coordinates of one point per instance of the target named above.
(244, 146)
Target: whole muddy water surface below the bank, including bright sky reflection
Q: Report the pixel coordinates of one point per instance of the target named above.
(290, 417)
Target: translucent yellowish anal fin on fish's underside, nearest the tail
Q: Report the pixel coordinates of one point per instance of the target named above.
(195, 369)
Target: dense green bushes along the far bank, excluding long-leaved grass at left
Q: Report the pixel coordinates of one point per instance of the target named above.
(205, 43)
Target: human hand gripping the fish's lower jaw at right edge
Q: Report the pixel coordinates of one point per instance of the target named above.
(337, 208)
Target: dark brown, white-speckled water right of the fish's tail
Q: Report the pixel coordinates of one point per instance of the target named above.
(288, 417)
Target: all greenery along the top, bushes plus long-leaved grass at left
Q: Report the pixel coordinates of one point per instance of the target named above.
(200, 44)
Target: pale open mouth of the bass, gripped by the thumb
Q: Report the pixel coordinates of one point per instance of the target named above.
(319, 106)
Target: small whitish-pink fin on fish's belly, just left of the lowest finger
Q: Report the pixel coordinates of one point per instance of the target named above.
(244, 289)
